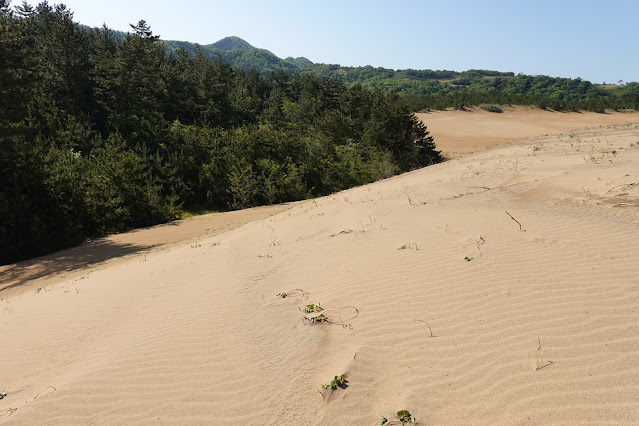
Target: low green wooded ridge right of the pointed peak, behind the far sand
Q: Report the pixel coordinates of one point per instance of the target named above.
(428, 89)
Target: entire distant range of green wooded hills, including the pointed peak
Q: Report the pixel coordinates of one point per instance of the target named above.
(433, 89)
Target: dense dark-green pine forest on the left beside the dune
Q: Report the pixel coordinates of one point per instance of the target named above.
(101, 134)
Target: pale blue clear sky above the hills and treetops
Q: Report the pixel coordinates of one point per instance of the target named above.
(595, 40)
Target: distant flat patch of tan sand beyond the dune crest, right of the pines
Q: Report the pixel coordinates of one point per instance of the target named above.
(462, 132)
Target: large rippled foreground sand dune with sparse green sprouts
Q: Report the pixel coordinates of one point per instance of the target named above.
(540, 326)
